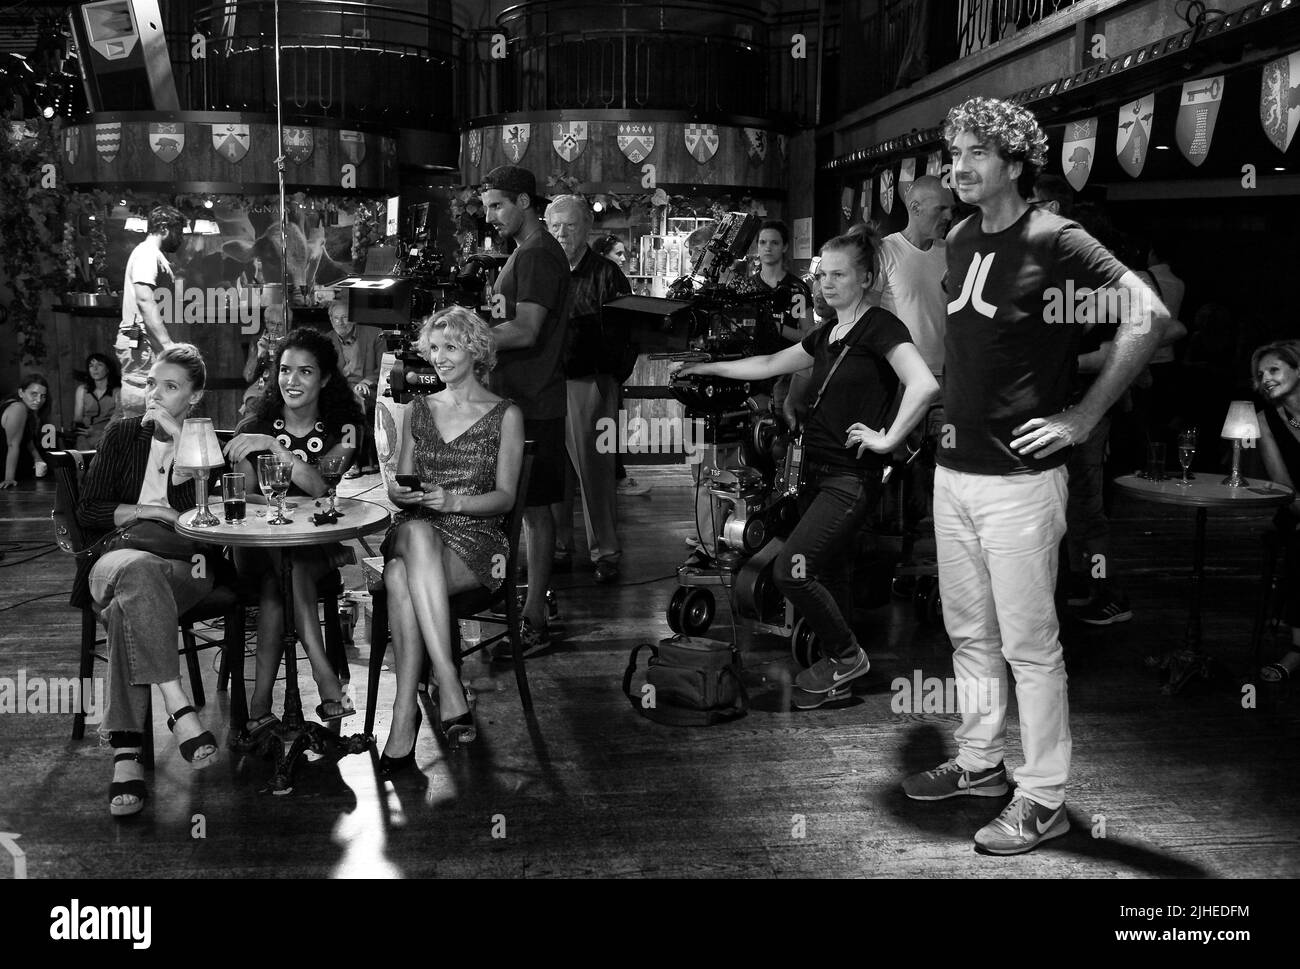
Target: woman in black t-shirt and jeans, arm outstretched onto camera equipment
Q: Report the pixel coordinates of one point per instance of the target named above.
(844, 455)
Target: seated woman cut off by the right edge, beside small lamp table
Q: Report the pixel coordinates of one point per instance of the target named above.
(1277, 380)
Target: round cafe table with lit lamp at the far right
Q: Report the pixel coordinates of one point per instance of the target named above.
(1204, 491)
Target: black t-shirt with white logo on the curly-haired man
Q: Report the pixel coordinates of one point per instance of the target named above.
(1012, 341)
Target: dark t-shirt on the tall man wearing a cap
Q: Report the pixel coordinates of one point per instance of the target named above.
(536, 272)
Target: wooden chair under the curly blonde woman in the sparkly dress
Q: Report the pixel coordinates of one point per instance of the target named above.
(473, 605)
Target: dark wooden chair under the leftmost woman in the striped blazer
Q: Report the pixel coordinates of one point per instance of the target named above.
(68, 469)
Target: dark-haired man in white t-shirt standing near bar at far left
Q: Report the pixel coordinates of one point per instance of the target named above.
(142, 334)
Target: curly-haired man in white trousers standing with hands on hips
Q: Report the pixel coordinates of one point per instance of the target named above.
(1000, 488)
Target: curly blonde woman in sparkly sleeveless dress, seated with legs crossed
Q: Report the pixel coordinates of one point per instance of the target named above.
(466, 447)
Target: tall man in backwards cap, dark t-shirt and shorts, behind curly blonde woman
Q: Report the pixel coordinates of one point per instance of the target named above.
(531, 326)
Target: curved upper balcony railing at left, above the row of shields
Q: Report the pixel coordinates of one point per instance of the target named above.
(340, 60)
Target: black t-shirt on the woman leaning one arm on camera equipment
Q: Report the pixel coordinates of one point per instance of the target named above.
(863, 391)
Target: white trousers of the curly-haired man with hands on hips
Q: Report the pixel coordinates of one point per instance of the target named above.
(999, 544)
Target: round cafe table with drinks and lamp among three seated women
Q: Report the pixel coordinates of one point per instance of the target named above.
(357, 518)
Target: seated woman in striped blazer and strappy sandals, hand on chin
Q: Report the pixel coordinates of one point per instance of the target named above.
(140, 594)
